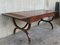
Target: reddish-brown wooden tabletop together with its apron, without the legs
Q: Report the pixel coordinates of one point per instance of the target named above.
(33, 15)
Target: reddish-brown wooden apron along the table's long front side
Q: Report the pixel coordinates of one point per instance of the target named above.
(36, 18)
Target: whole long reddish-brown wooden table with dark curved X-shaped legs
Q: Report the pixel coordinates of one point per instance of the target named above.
(30, 17)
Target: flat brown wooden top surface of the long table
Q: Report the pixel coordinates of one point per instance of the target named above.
(27, 14)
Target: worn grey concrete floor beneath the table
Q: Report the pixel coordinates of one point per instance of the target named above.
(40, 35)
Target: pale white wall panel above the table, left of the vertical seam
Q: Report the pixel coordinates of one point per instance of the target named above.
(20, 5)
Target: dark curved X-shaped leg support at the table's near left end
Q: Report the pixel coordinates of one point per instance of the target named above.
(23, 28)
